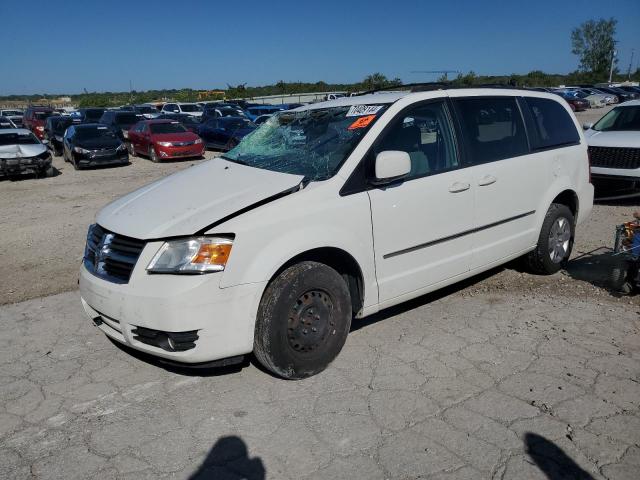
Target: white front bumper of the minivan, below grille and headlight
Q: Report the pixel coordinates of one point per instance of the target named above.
(224, 318)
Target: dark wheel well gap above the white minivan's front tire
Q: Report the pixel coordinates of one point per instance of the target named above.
(340, 261)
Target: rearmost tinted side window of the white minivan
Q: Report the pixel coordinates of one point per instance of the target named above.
(554, 127)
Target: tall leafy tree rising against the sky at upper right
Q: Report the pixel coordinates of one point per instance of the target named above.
(593, 42)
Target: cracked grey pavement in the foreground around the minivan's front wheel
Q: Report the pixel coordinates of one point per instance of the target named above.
(456, 385)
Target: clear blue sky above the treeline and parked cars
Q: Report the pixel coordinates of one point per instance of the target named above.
(66, 46)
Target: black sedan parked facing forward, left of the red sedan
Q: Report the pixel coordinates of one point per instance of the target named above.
(93, 145)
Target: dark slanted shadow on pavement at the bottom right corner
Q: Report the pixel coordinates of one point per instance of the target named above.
(552, 460)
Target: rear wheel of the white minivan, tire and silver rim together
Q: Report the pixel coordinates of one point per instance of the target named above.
(554, 243)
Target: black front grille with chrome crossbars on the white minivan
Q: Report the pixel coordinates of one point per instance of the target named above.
(111, 256)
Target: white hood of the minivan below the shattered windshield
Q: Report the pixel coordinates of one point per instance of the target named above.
(189, 201)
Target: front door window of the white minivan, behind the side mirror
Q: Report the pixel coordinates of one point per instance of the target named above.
(424, 132)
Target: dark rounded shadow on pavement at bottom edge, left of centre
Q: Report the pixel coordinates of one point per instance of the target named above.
(229, 458)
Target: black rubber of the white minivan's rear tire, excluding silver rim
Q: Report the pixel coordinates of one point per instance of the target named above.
(540, 260)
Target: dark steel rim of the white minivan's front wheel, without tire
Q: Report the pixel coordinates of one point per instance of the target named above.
(310, 321)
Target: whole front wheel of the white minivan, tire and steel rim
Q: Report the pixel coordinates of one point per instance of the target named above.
(303, 320)
